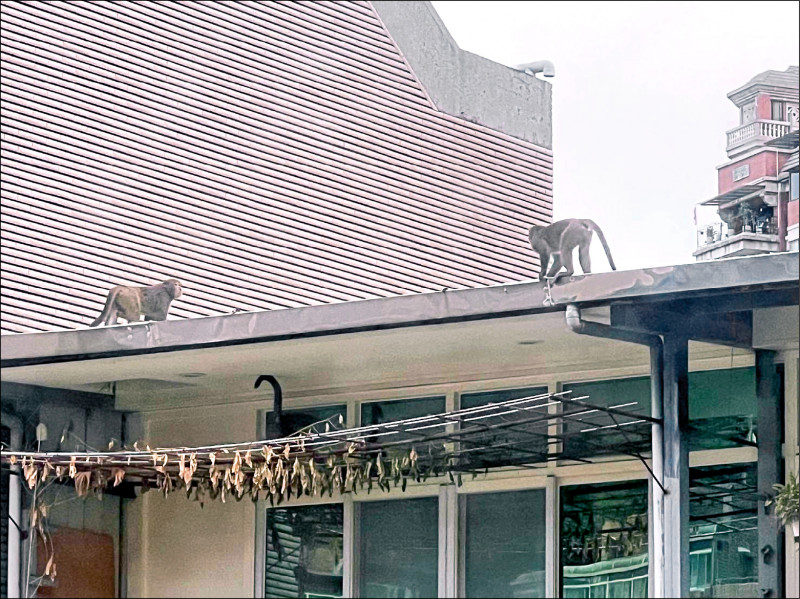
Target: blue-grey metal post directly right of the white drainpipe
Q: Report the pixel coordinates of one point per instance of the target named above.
(676, 466)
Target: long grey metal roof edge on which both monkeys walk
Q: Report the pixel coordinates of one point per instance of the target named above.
(499, 301)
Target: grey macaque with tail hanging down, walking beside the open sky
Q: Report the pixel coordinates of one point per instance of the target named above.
(560, 239)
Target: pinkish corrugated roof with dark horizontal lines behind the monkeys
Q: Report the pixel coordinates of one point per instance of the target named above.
(267, 154)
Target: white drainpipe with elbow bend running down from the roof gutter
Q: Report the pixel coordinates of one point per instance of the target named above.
(656, 345)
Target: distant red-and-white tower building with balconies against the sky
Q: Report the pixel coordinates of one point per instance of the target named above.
(757, 201)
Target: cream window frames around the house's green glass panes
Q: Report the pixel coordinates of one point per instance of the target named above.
(451, 532)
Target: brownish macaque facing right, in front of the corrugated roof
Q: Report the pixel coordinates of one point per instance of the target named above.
(130, 303)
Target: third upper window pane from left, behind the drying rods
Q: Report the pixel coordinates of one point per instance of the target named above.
(530, 442)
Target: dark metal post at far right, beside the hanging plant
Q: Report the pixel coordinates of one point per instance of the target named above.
(770, 542)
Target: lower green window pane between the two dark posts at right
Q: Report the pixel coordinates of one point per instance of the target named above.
(723, 531)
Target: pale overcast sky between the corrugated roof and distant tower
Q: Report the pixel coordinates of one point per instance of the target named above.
(640, 105)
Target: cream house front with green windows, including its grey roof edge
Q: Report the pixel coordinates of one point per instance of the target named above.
(574, 526)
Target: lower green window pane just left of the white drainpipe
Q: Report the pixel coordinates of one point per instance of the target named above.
(604, 545)
